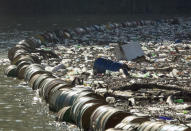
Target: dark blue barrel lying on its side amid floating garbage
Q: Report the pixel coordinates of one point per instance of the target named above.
(101, 65)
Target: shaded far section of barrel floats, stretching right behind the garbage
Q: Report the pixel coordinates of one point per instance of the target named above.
(58, 36)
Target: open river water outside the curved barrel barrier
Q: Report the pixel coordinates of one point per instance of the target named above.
(20, 108)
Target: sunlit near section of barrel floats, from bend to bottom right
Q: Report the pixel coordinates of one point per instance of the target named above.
(73, 104)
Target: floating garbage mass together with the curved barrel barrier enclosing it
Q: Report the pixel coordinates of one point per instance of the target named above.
(78, 73)
